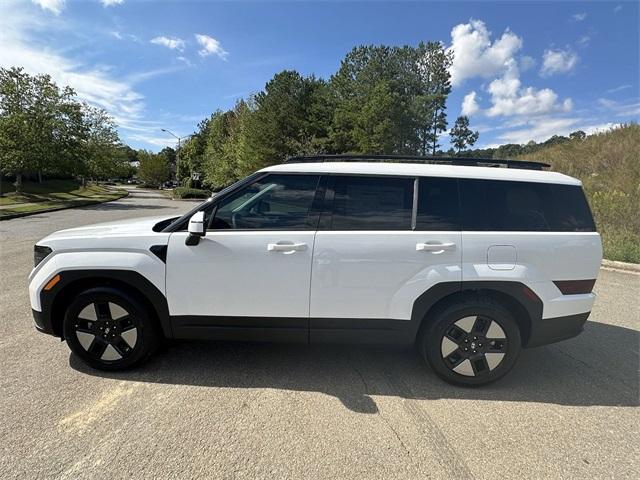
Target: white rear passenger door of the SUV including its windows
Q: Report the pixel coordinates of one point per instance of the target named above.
(382, 242)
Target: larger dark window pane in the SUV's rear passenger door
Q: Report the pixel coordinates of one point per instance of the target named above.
(371, 203)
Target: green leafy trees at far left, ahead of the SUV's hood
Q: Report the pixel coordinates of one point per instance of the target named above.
(46, 130)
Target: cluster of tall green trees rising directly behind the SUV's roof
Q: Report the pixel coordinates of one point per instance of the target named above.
(382, 100)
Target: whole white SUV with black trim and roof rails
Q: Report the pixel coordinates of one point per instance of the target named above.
(468, 262)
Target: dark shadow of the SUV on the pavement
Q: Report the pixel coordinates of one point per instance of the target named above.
(578, 372)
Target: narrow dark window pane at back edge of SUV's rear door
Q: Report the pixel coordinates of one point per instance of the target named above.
(438, 204)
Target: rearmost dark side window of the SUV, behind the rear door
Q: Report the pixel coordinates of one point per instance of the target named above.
(524, 206)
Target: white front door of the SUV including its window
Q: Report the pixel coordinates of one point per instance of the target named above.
(252, 269)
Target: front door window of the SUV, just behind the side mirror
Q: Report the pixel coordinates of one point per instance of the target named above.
(275, 202)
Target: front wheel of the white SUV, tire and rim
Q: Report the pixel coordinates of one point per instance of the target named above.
(109, 330)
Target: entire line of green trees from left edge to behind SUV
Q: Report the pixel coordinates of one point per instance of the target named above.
(381, 100)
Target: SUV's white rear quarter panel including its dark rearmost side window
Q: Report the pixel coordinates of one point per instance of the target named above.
(532, 233)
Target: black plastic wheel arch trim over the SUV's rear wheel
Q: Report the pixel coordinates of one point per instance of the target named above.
(519, 299)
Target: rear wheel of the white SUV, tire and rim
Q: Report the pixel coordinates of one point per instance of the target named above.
(471, 342)
